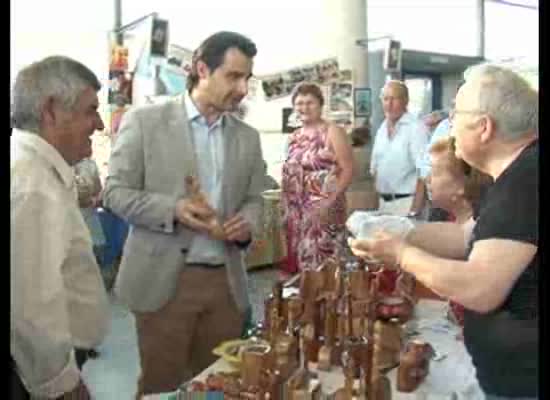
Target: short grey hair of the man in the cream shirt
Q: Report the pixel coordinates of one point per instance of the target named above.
(57, 76)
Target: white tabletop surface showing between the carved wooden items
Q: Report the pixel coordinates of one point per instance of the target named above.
(452, 375)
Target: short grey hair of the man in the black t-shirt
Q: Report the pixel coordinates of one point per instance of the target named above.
(507, 98)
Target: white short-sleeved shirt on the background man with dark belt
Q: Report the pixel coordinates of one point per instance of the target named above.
(395, 162)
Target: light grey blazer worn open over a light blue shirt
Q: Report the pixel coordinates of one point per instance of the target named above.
(152, 155)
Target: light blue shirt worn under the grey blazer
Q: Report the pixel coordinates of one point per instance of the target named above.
(209, 150)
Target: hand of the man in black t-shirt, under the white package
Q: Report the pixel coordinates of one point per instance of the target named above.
(384, 248)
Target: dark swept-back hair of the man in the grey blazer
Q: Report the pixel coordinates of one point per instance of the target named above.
(212, 52)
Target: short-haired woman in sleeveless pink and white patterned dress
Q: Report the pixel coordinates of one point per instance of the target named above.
(316, 174)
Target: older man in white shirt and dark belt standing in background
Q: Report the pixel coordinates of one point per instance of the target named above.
(398, 149)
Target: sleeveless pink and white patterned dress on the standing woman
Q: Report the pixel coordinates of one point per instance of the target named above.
(309, 174)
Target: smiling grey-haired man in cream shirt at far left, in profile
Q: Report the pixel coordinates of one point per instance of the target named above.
(58, 300)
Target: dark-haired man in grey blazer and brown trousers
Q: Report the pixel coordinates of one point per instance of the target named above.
(187, 290)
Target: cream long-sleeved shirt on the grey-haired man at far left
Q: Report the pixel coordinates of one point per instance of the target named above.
(58, 299)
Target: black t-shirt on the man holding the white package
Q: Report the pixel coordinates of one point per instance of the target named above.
(504, 343)
